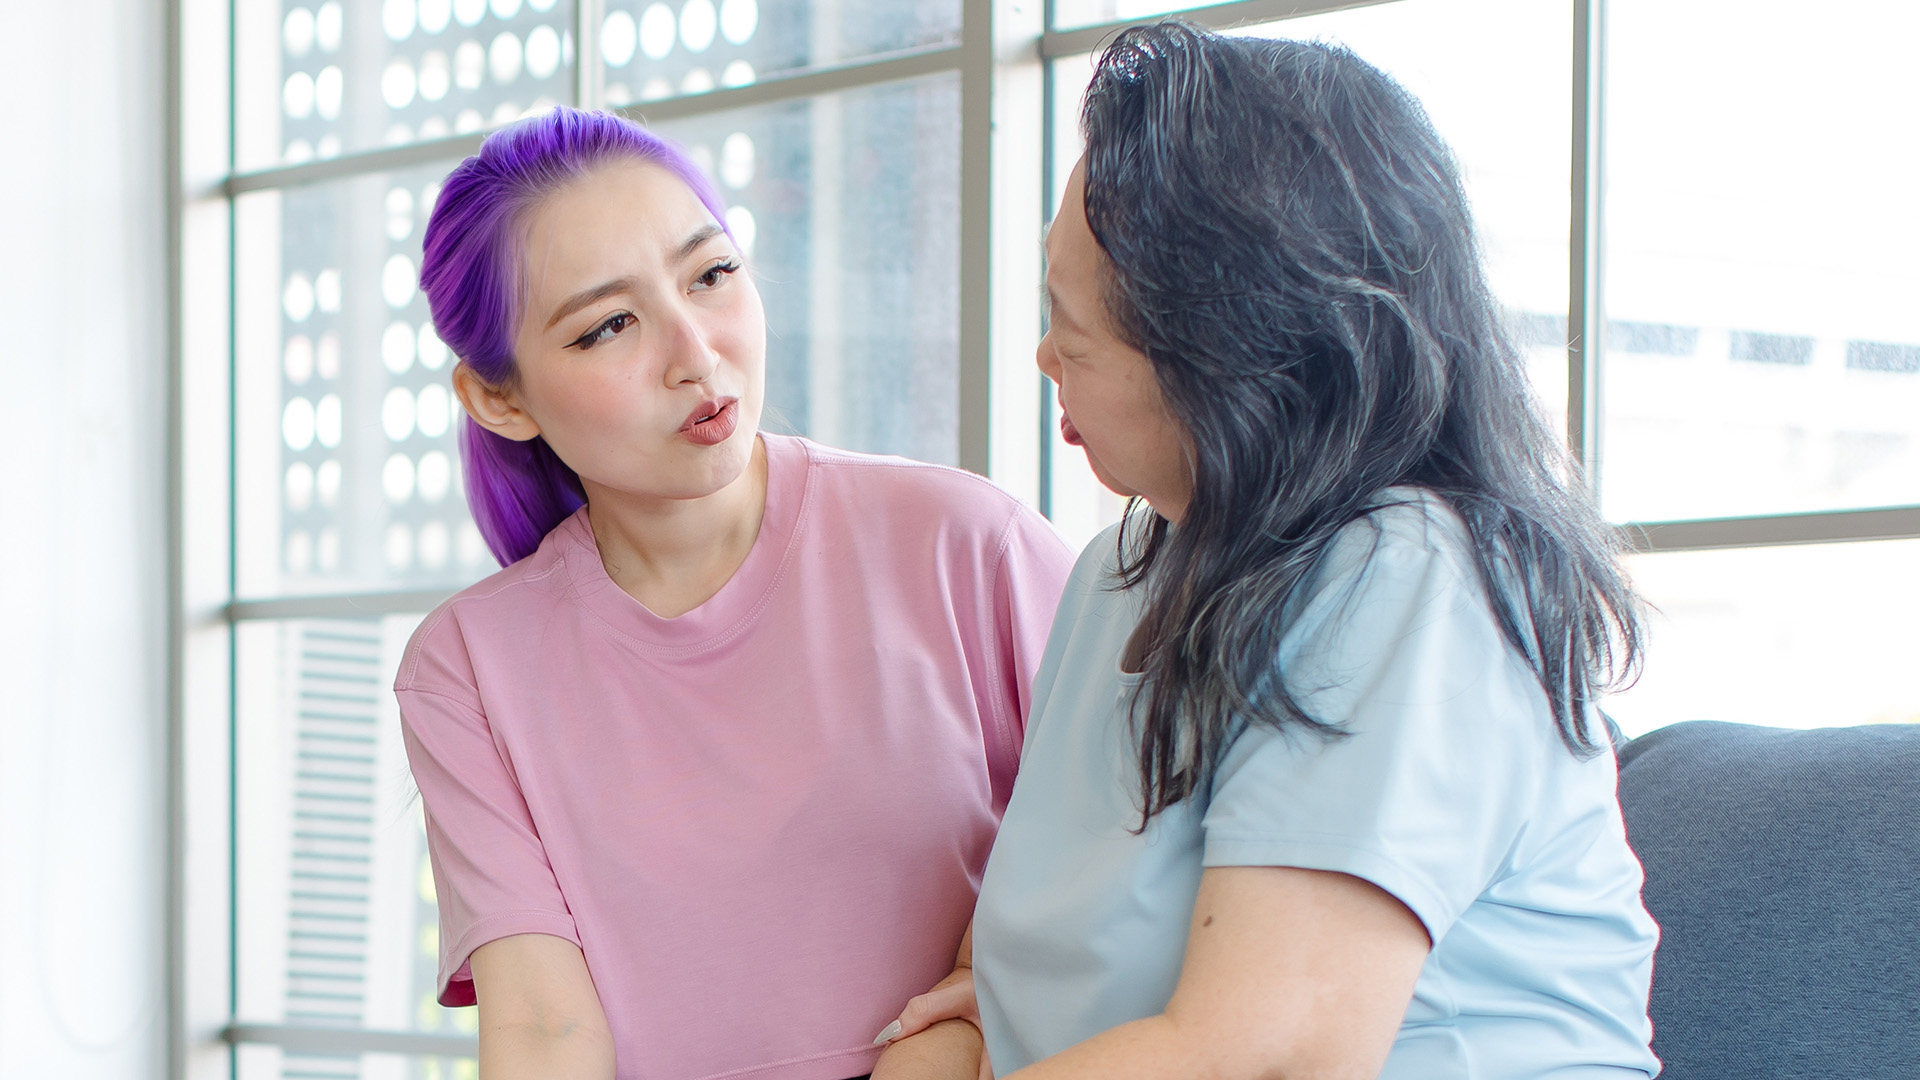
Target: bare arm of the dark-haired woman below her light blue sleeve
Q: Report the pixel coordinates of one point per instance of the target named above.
(1289, 973)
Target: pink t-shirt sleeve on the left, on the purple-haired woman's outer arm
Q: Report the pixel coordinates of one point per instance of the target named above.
(491, 870)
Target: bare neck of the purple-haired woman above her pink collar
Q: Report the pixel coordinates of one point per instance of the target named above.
(675, 554)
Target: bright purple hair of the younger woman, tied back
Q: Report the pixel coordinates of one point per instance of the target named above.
(471, 278)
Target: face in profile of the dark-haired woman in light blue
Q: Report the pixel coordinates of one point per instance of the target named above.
(1111, 403)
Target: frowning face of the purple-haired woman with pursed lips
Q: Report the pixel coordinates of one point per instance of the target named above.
(642, 347)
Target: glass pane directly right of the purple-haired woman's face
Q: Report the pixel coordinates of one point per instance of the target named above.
(850, 209)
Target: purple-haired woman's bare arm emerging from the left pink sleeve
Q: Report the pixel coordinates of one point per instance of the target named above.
(540, 1018)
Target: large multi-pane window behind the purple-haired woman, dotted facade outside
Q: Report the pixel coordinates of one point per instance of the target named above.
(320, 464)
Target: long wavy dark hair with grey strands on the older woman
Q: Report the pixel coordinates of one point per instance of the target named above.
(1289, 245)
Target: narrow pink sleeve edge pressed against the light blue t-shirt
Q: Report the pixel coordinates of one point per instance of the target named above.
(1028, 581)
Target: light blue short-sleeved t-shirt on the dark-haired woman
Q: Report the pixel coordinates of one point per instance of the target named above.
(1452, 793)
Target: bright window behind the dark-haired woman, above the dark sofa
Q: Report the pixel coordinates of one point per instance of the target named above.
(1746, 393)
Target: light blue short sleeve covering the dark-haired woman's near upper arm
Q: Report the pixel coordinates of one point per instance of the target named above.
(1431, 785)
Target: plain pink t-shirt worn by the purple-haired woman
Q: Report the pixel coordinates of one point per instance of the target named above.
(763, 822)
